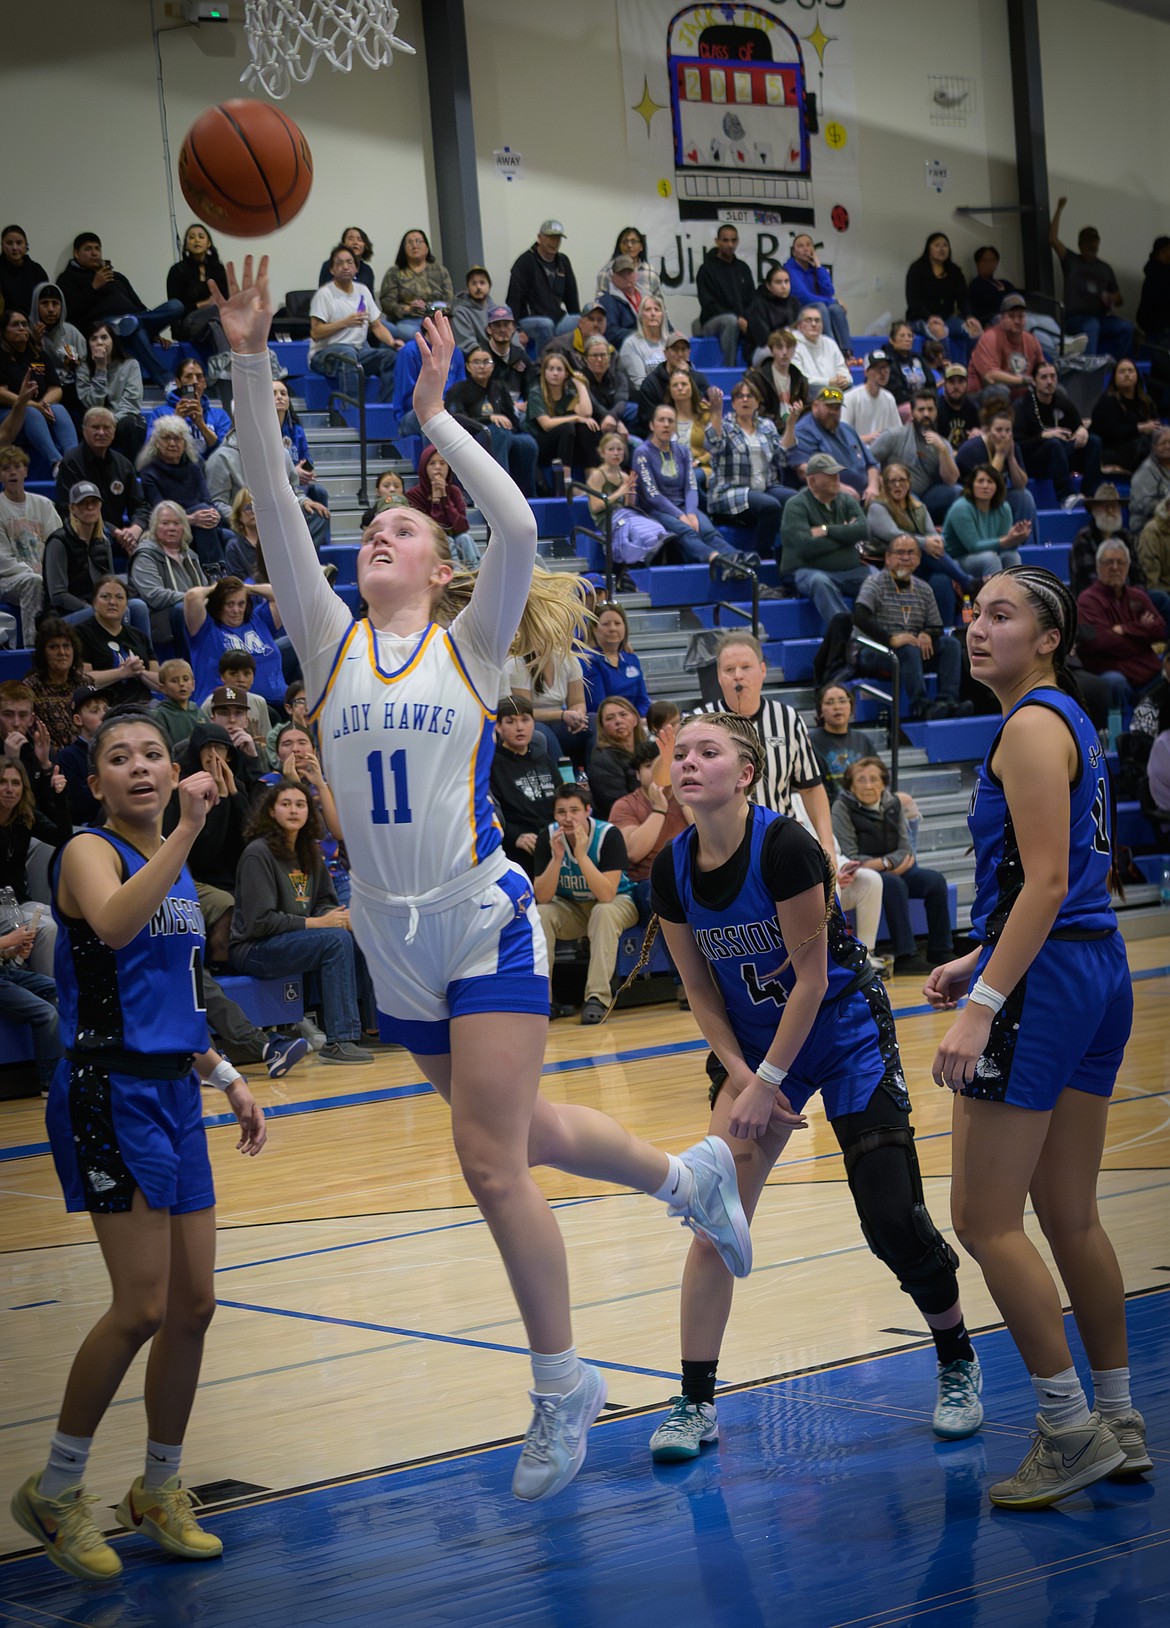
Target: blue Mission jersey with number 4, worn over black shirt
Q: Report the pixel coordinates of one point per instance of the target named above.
(744, 950)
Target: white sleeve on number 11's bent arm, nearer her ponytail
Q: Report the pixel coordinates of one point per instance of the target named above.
(504, 582)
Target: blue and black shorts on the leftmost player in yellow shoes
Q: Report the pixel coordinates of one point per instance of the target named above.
(113, 1134)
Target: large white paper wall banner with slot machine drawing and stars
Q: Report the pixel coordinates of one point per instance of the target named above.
(733, 103)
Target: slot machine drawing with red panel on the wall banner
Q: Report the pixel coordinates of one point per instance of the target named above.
(740, 113)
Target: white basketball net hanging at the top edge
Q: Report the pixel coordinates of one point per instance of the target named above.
(287, 37)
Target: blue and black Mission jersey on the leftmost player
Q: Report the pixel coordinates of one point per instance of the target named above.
(146, 999)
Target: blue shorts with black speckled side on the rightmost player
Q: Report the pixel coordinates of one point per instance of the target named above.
(1065, 1026)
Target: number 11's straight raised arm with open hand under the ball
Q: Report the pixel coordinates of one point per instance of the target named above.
(312, 613)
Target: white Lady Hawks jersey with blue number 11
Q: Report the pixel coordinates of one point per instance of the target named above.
(406, 745)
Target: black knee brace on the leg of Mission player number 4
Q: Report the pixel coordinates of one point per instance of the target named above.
(894, 1219)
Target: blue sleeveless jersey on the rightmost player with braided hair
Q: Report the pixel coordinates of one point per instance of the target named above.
(998, 867)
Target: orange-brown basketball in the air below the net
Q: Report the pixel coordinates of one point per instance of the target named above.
(245, 168)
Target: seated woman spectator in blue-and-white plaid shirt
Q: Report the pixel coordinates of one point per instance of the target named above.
(749, 463)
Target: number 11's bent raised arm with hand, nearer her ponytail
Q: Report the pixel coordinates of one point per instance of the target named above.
(505, 577)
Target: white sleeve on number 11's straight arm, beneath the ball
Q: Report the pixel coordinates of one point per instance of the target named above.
(312, 613)
